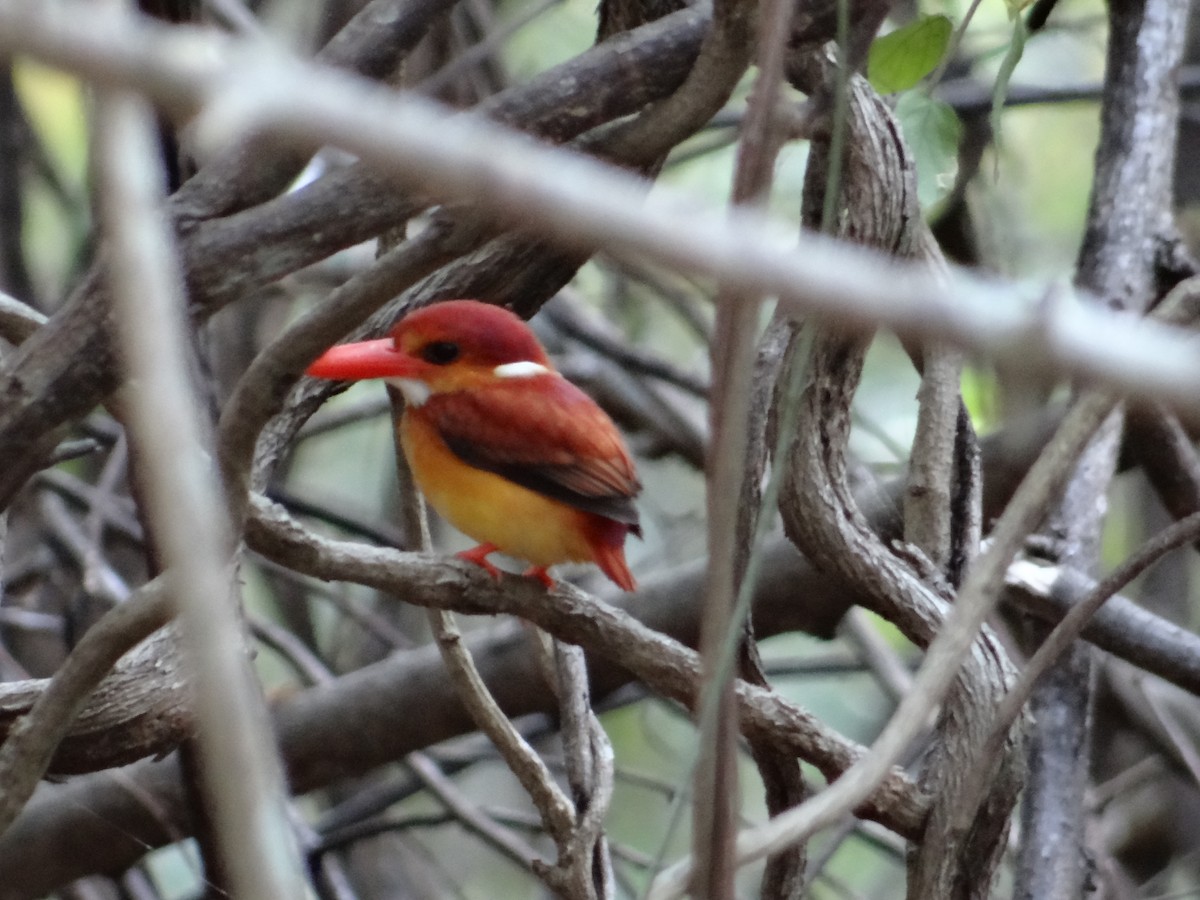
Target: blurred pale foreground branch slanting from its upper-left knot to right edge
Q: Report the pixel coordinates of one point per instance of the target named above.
(580, 202)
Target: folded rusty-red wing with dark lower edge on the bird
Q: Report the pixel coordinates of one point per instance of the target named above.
(543, 434)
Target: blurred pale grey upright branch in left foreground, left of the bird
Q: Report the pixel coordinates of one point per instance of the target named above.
(187, 519)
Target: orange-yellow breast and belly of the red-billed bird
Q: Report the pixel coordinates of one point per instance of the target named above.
(491, 509)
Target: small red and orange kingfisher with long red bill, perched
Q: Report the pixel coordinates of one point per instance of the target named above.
(500, 443)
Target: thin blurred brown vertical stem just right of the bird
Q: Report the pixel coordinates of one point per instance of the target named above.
(730, 527)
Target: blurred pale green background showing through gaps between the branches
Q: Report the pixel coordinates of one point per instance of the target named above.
(1007, 191)
